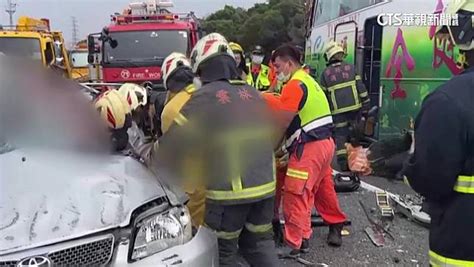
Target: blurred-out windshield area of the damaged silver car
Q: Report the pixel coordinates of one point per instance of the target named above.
(43, 110)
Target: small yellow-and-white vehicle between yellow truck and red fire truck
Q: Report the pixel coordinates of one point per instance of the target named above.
(79, 64)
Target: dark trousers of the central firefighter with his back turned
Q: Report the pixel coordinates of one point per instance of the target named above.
(245, 229)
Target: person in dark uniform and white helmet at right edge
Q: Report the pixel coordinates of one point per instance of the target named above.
(441, 167)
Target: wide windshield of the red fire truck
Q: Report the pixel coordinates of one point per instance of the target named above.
(145, 45)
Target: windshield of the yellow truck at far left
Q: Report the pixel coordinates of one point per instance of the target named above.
(20, 47)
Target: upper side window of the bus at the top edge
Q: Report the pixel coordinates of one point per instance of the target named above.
(327, 10)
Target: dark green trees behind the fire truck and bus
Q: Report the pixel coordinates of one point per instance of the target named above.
(267, 24)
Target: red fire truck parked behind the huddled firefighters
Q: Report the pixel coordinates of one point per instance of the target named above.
(132, 48)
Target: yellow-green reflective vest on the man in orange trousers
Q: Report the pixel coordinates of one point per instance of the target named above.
(314, 116)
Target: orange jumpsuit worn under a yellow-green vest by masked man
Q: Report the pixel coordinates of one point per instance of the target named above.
(318, 189)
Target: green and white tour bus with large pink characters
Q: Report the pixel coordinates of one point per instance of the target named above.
(394, 49)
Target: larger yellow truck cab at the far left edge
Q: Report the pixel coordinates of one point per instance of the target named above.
(33, 38)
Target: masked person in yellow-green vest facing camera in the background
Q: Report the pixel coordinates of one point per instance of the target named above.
(258, 76)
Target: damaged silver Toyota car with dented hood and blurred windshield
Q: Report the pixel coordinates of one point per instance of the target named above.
(63, 205)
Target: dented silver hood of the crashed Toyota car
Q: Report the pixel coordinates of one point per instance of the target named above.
(50, 196)
